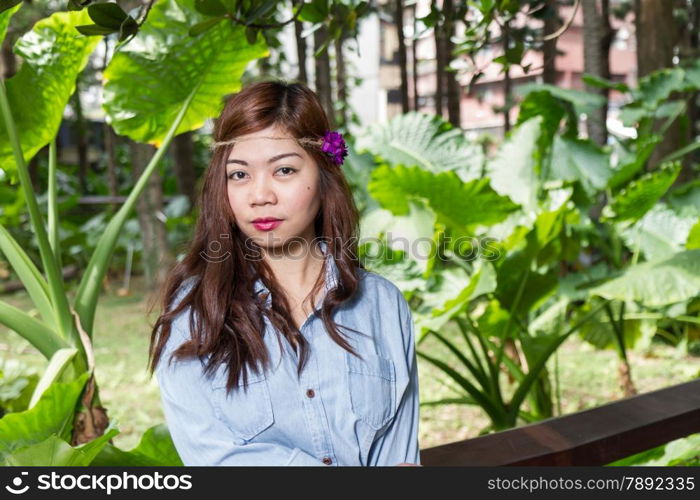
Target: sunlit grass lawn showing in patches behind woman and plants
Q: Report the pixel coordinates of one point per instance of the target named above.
(587, 377)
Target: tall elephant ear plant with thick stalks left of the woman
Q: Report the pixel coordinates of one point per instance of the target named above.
(66, 423)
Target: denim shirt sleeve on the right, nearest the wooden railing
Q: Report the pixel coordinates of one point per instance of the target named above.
(399, 443)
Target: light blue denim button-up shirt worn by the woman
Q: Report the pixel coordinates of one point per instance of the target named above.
(342, 410)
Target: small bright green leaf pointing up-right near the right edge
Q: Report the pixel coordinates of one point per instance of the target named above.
(641, 195)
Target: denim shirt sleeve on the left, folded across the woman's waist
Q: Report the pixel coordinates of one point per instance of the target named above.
(198, 435)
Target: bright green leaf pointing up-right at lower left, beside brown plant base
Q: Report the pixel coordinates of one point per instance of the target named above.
(53, 414)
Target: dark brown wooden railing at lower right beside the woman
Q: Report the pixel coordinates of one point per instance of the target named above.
(592, 437)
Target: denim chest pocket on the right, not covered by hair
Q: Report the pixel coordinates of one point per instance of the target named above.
(372, 387)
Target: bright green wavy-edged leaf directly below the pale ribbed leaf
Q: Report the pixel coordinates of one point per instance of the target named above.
(457, 204)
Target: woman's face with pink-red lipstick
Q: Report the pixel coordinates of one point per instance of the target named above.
(272, 178)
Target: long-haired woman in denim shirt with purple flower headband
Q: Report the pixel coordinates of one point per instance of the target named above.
(249, 354)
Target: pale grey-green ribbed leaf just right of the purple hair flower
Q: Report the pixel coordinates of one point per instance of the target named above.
(427, 141)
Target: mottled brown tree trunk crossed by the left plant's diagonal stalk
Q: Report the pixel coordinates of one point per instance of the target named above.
(156, 257)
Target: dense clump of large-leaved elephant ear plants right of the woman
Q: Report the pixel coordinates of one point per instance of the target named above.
(546, 202)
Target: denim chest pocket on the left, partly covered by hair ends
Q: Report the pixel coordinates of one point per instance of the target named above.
(246, 410)
